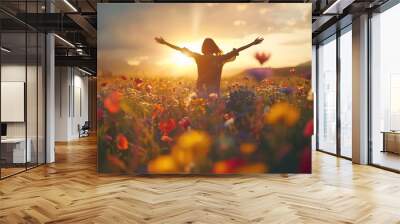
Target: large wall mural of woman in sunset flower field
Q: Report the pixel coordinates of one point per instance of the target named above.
(204, 88)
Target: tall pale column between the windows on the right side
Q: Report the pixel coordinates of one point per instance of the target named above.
(360, 90)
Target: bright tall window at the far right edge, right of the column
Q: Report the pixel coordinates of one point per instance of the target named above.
(385, 89)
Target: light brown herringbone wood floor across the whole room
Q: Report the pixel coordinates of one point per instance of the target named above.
(70, 191)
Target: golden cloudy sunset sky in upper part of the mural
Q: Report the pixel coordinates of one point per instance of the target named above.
(126, 35)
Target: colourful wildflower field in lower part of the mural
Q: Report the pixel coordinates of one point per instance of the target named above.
(160, 125)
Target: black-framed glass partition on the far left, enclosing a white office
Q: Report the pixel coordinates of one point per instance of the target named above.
(22, 88)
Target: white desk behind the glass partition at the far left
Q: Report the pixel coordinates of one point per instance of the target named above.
(13, 150)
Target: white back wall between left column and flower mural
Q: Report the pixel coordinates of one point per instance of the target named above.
(71, 94)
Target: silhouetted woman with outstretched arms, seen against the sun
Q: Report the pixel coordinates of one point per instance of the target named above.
(210, 63)
